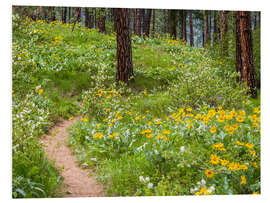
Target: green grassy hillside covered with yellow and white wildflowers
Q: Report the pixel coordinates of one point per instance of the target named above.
(181, 126)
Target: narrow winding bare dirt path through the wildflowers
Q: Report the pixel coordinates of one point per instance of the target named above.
(76, 179)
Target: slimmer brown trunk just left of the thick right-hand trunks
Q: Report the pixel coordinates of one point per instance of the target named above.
(223, 32)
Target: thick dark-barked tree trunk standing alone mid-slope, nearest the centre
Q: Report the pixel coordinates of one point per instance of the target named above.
(124, 52)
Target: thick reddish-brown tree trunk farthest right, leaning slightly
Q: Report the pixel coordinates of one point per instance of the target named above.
(247, 52)
